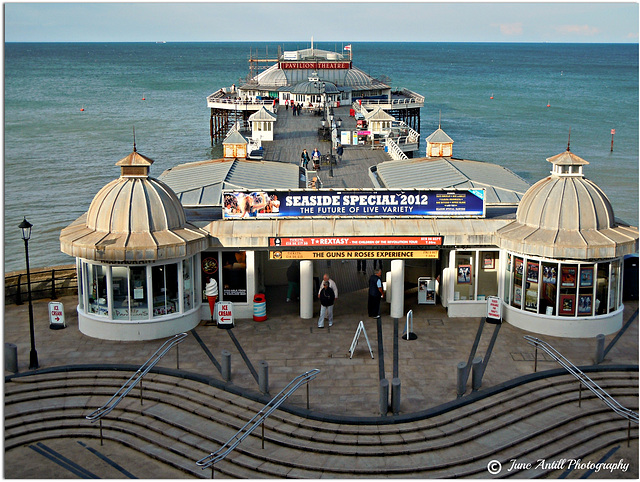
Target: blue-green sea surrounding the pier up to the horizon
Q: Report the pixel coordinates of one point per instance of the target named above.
(70, 110)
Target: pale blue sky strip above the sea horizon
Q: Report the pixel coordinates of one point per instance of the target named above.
(330, 21)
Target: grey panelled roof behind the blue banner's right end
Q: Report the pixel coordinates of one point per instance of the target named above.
(501, 184)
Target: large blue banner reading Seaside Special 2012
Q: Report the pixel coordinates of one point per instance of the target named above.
(349, 203)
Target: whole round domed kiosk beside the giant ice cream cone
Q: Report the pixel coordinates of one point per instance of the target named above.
(136, 259)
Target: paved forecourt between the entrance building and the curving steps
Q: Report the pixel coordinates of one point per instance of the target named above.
(291, 345)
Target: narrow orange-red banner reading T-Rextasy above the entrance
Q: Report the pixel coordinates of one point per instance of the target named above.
(348, 241)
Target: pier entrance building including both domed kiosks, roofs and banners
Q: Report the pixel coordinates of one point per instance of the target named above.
(552, 252)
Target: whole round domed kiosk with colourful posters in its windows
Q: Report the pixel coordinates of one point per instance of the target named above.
(564, 256)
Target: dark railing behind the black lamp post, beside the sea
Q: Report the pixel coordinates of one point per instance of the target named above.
(45, 283)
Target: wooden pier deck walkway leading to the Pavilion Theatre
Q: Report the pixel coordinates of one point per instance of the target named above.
(292, 134)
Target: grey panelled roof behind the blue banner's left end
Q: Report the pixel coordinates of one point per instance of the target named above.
(201, 183)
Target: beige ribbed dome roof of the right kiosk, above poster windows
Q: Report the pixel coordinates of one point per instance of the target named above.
(567, 216)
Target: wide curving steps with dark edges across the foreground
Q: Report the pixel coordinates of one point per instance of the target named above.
(182, 420)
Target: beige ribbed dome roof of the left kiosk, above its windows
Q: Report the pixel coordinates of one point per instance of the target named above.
(133, 218)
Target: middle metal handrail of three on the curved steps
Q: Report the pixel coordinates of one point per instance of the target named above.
(257, 419)
